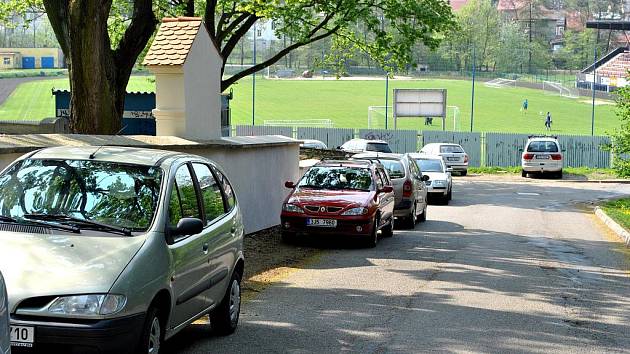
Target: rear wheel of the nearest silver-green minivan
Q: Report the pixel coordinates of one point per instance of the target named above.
(224, 318)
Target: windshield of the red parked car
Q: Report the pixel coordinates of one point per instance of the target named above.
(328, 177)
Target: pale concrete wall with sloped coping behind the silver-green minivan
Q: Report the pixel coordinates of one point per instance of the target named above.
(256, 166)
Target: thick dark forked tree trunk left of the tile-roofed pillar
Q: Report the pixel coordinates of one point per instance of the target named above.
(98, 73)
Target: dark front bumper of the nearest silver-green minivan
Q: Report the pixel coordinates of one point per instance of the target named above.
(119, 335)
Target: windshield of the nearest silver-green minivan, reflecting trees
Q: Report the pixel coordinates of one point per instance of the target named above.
(114, 194)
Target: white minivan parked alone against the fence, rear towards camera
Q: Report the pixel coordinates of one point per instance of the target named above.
(542, 154)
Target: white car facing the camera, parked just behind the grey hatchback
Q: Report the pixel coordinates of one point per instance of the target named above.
(440, 183)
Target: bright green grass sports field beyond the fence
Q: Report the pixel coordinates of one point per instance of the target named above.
(346, 104)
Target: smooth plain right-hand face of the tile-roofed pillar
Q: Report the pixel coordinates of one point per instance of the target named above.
(202, 86)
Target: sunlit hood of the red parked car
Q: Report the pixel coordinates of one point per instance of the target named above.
(302, 196)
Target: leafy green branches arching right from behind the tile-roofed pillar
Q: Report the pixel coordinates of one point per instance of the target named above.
(308, 21)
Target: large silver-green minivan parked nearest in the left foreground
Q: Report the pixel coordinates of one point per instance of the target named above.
(116, 249)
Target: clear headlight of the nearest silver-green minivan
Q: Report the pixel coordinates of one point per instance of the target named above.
(88, 305)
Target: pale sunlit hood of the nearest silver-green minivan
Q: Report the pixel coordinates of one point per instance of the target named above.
(51, 265)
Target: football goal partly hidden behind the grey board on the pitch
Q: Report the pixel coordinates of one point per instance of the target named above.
(376, 119)
